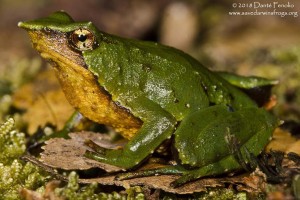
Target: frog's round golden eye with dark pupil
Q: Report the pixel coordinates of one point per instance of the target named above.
(82, 39)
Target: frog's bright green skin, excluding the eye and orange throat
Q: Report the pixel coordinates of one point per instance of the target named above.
(174, 96)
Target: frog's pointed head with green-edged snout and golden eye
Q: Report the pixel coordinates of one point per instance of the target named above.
(59, 39)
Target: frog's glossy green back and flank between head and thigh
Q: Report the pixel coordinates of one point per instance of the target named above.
(167, 76)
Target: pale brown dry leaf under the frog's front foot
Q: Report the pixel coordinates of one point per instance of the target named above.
(68, 154)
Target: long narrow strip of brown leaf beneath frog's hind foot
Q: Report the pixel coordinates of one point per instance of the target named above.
(252, 183)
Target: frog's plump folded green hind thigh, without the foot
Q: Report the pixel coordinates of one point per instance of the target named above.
(202, 137)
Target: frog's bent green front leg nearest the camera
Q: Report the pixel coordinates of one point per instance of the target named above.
(158, 125)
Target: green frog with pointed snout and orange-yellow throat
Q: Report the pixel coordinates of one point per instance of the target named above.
(151, 93)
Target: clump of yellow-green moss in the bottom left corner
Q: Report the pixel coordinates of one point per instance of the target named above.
(15, 174)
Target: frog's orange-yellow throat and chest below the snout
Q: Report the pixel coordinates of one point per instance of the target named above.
(80, 85)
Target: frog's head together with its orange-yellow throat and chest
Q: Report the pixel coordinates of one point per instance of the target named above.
(63, 42)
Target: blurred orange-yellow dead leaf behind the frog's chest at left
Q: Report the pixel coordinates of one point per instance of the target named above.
(44, 102)
